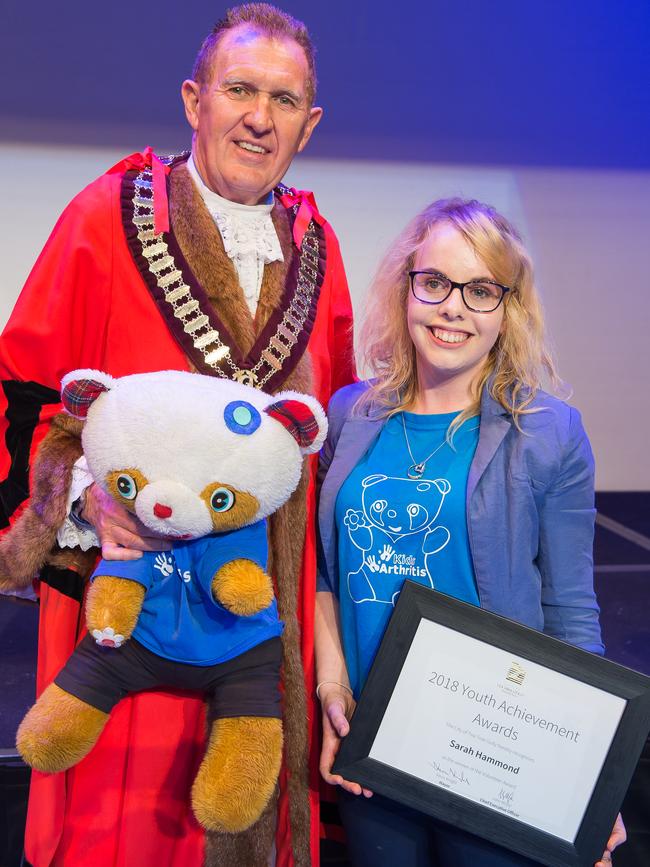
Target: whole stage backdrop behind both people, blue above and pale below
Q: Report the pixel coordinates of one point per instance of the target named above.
(541, 108)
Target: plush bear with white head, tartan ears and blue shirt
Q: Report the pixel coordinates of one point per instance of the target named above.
(202, 461)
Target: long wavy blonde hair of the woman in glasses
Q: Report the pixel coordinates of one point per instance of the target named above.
(518, 363)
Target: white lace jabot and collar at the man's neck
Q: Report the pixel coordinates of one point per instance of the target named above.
(248, 233)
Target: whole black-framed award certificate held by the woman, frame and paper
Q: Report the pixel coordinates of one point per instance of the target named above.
(497, 729)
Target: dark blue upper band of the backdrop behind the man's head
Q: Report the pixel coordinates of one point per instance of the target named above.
(540, 82)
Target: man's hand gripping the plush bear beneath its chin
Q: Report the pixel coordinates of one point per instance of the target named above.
(122, 535)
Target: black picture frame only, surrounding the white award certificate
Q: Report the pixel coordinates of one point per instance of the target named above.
(353, 762)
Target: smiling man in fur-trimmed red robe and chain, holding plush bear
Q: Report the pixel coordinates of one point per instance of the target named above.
(202, 261)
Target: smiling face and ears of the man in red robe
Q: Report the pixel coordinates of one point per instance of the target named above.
(252, 116)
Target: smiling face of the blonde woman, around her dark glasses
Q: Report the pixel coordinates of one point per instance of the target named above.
(451, 342)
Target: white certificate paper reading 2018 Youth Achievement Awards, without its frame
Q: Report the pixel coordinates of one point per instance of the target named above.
(497, 729)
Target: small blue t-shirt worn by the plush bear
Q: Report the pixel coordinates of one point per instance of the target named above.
(180, 619)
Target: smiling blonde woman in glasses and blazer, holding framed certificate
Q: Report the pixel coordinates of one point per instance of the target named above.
(453, 468)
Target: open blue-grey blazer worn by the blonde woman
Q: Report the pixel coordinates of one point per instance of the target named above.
(530, 511)
